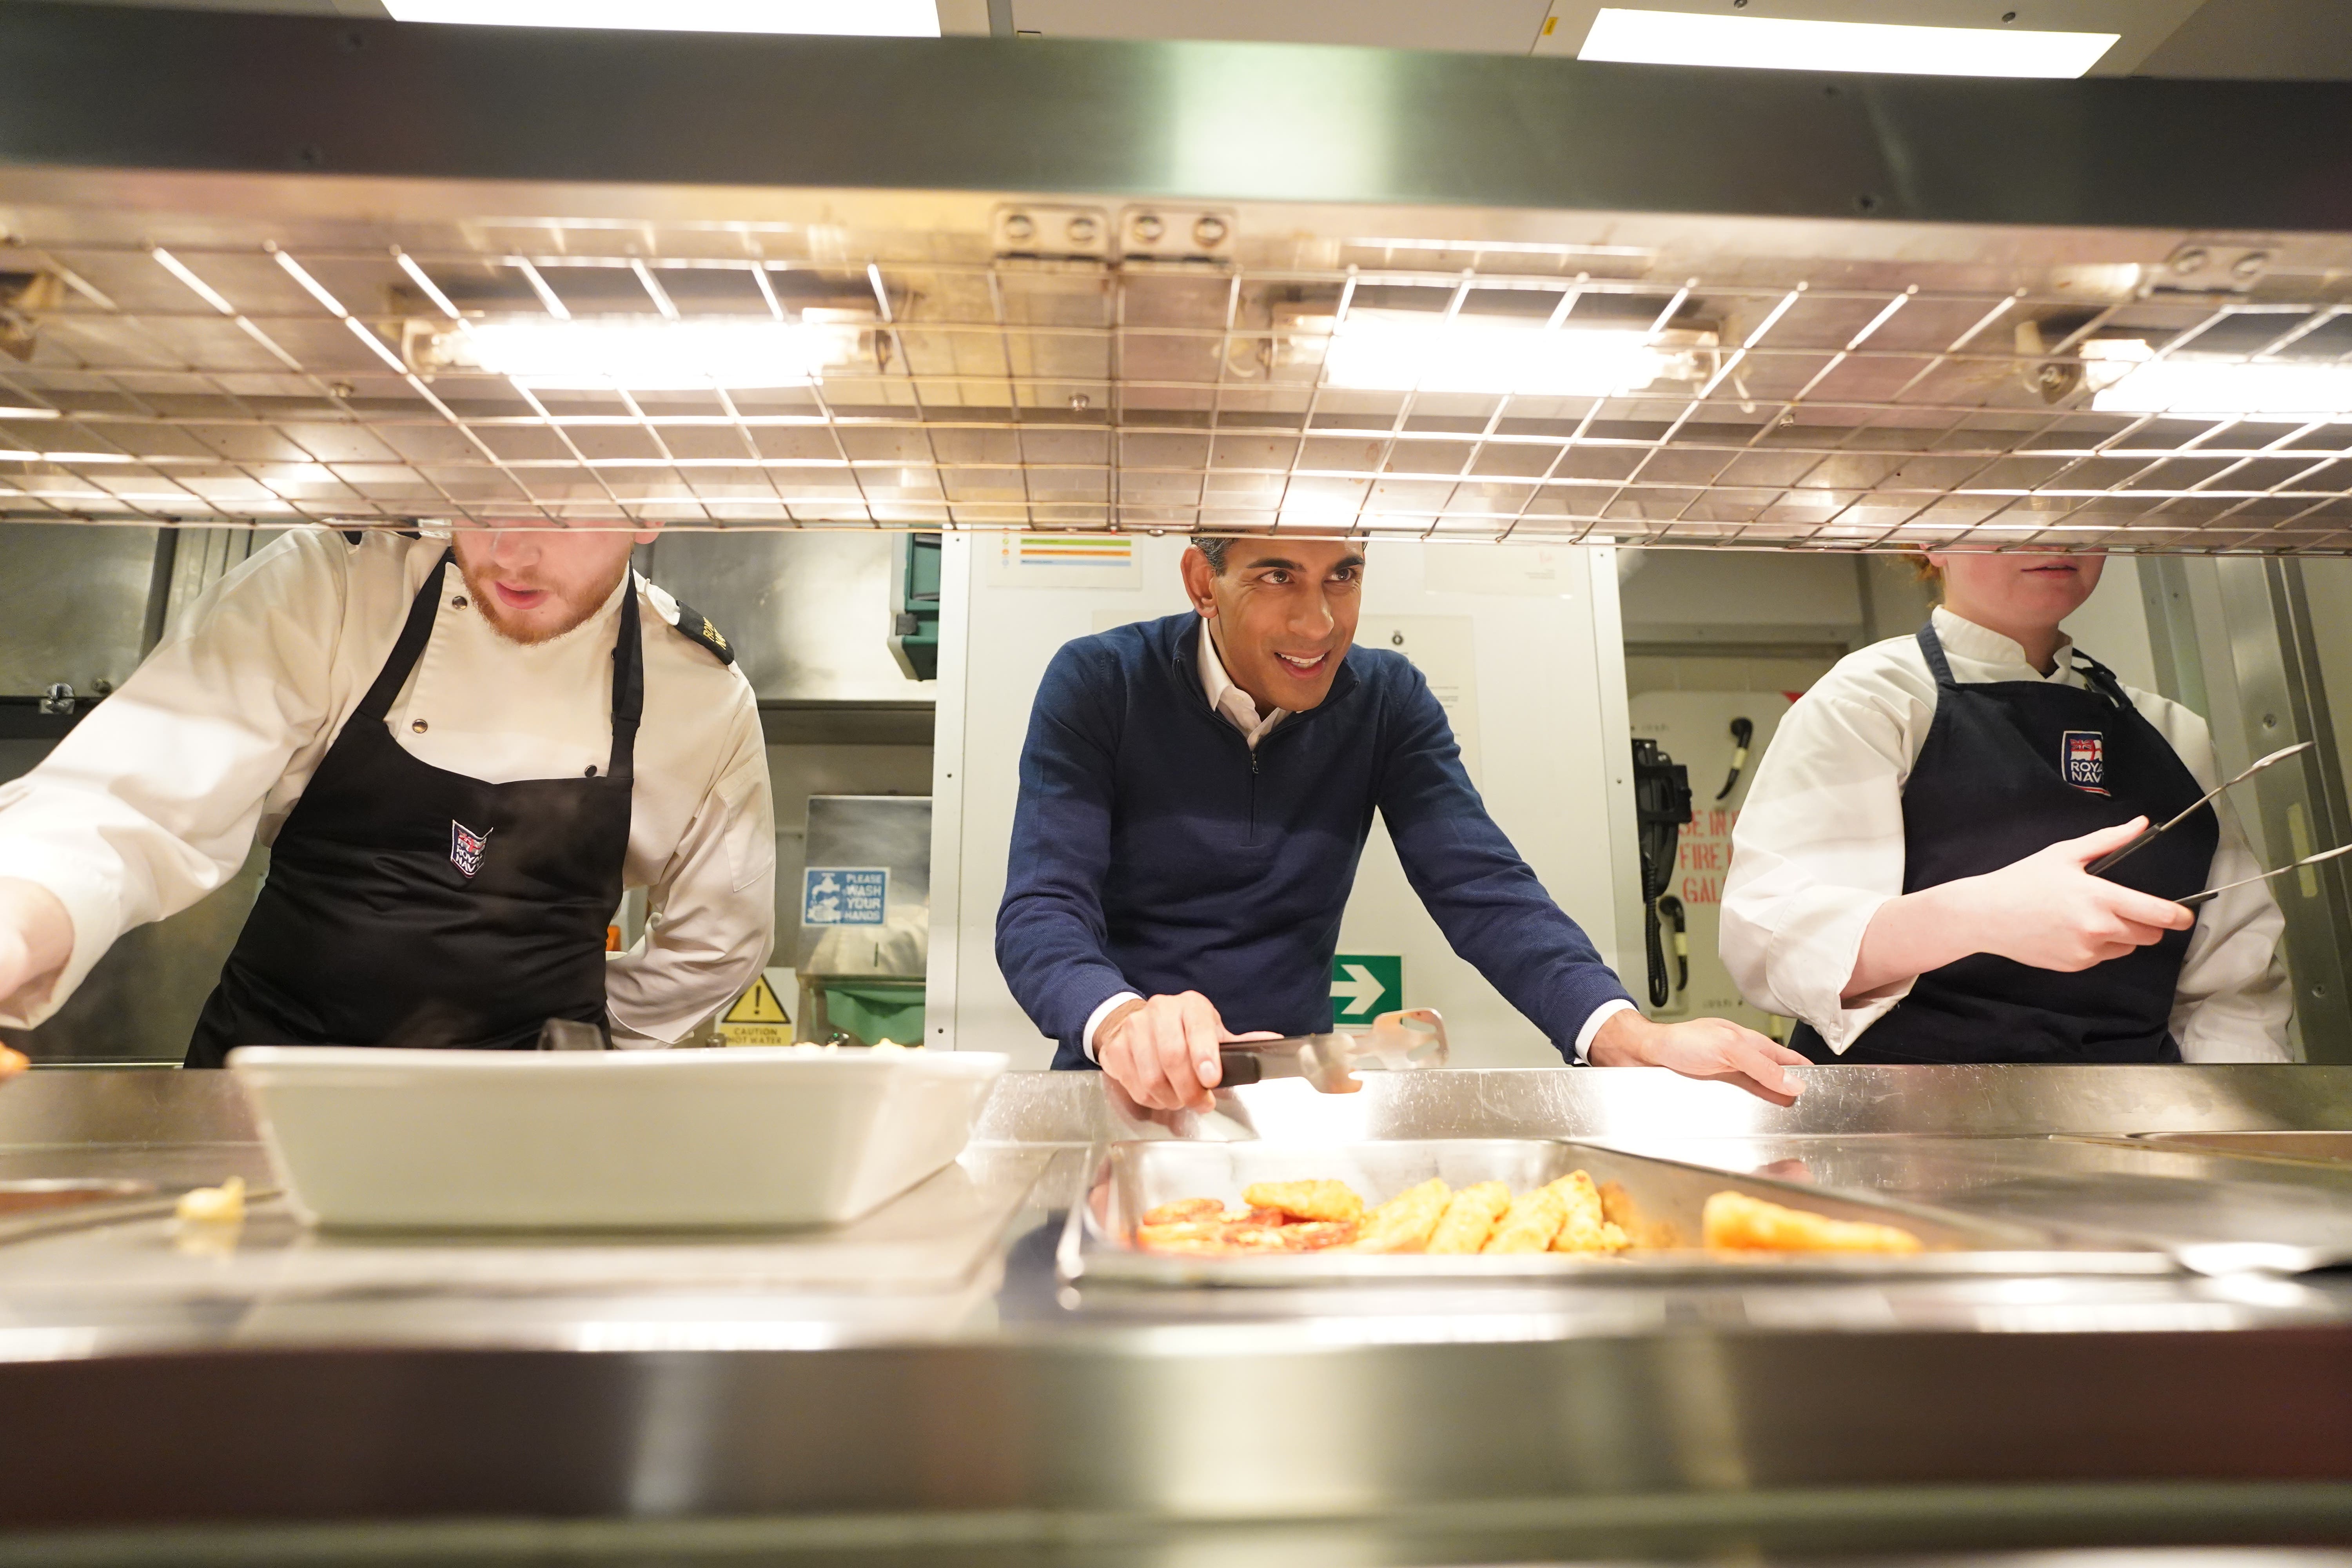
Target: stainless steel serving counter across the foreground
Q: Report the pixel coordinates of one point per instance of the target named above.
(921, 1386)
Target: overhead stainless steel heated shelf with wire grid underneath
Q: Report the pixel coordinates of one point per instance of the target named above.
(1109, 288)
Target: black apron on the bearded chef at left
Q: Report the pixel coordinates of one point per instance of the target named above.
(410, 906)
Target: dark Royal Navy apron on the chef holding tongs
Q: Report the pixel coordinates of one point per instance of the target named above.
(2010, 770)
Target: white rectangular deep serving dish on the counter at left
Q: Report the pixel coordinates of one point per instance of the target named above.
(608, 1139)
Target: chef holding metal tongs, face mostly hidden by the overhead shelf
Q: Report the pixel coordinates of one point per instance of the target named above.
(1909, 873)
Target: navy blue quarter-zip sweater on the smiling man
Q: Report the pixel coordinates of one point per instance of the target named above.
(1156, 852)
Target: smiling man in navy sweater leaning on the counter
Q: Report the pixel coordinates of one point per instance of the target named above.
(1194, 803)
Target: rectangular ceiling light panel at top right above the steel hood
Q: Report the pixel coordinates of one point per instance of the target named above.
(1779, 43)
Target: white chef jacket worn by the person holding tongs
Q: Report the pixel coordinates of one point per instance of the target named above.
(1819, 847)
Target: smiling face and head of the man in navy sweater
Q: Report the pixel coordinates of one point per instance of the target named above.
(1283, 615)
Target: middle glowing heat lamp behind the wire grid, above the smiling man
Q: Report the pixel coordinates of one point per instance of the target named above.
(1403, 351)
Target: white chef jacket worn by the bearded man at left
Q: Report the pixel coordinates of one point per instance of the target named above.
(156, 798)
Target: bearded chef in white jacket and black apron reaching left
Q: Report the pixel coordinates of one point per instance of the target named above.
(460, 753)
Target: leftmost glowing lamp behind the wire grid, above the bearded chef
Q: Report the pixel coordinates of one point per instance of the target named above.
(653, 356)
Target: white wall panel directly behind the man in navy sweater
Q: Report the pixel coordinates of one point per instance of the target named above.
(1521, 641)
